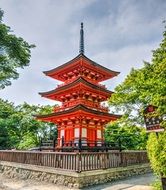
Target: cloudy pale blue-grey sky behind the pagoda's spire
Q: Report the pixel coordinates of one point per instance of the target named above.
(118, 34)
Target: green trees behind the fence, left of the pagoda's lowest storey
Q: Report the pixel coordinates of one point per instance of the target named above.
(19, 128)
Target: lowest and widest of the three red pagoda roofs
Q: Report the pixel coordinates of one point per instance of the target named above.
(77, 109)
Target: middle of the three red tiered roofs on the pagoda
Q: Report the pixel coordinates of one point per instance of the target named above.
(74, 83)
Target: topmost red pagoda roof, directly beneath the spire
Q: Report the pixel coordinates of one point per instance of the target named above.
(54, 73)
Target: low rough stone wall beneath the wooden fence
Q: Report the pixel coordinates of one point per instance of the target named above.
(67, 178)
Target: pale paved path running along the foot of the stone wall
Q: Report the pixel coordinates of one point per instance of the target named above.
(134, 183)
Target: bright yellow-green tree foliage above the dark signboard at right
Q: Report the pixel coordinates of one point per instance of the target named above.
(143, 87)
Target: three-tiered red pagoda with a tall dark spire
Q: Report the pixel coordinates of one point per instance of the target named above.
(81, 117)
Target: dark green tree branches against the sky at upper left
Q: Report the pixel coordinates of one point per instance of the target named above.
(15, 53)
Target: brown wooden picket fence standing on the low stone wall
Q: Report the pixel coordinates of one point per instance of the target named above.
(76, 161)
